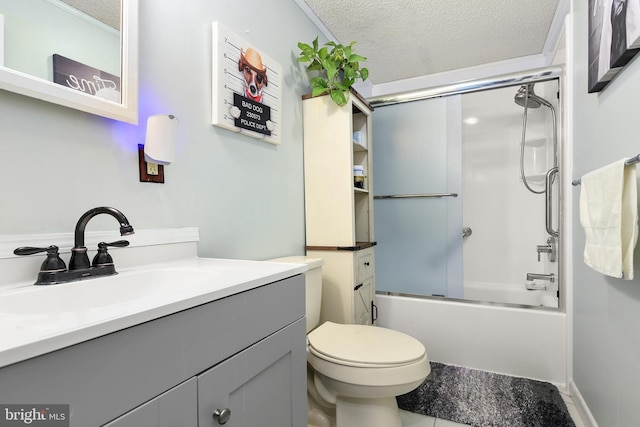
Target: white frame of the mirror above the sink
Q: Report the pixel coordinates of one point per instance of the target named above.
(126, 110)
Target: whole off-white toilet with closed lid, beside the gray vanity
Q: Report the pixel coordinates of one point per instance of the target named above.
(354, 372)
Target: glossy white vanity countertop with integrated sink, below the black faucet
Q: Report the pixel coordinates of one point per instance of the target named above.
(35, 320)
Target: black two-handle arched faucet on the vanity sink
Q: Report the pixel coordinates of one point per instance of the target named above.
(53, 269)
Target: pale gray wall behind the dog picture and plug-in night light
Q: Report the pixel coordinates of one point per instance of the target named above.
(245, 195)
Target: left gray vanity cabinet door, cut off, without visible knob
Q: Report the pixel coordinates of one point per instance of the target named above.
(176, 407)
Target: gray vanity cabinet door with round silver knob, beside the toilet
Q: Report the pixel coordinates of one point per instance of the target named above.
(264, 385)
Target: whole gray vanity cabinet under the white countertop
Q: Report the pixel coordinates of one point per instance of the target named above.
(245, 352)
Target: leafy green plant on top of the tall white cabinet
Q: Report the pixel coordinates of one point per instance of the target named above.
(334, 67)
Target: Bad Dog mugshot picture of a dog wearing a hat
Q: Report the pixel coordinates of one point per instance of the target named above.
(247, 87)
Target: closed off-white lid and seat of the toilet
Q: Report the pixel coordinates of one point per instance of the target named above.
(362, 344)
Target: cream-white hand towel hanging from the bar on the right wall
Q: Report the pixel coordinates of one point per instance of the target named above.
(609, 216)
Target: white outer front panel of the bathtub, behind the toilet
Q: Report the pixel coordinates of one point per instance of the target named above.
(518, 341)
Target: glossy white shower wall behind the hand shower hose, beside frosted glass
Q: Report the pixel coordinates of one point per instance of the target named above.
(507, 220)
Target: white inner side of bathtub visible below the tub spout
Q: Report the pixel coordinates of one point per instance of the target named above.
(510, 294)
